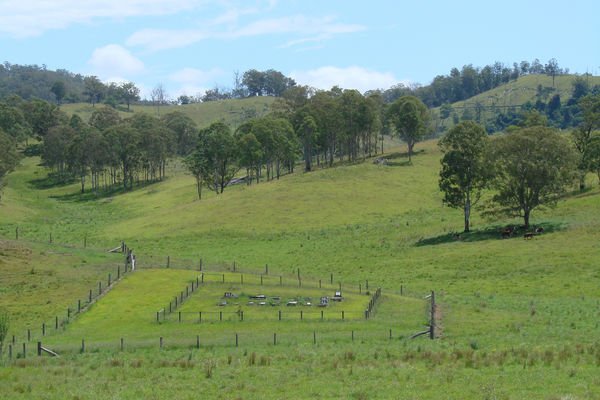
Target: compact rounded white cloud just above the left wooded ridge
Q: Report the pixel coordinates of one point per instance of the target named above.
(115, 61)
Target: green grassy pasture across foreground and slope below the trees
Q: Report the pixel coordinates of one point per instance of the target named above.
(515, 318)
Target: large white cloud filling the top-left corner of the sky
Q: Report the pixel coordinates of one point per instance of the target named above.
(25, 18)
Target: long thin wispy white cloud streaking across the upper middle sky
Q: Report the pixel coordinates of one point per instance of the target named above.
(319, 29)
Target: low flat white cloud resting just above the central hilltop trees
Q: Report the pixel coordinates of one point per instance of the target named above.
(348, 78)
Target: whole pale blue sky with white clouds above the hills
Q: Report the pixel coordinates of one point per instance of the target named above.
(190, 46)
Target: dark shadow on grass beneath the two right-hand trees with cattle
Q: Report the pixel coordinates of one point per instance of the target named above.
(492, 233)
